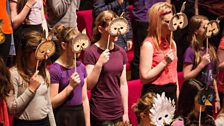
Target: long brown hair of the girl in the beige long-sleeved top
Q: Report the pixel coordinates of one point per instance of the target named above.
(29, 44)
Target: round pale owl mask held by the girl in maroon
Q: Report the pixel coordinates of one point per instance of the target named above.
(118, 26)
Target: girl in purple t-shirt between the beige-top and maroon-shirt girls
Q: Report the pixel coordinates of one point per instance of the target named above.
(68, 82)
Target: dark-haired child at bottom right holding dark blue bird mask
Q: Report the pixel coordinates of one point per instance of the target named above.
(188, 107)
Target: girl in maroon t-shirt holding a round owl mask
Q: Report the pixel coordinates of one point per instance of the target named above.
(106, 75)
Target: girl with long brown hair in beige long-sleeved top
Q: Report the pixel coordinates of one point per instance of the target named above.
(30, 103)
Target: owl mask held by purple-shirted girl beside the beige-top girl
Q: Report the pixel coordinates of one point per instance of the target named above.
(81, 42)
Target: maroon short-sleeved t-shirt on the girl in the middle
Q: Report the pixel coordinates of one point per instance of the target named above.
(106, 101)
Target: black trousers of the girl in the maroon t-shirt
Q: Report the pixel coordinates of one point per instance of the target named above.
(96, 122)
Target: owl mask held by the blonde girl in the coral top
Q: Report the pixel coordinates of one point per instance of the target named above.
(179, 20)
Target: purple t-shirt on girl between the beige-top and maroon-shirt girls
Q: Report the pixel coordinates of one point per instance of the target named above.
(61, 75)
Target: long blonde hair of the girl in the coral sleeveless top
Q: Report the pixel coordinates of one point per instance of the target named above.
(155, 14)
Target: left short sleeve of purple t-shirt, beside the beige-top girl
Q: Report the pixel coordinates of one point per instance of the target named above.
(54, 74)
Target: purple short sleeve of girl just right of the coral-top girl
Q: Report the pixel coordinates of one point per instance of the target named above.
(189, 56)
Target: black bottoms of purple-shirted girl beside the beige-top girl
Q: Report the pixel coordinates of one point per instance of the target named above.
(70, 116)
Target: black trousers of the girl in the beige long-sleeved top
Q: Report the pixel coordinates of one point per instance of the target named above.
(42, 122)
